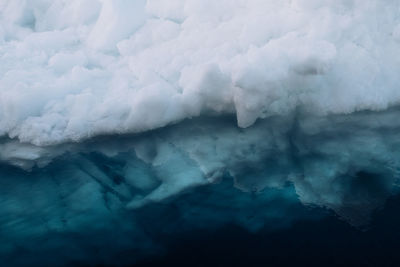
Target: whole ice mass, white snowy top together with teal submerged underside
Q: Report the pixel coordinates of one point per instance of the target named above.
(111, 106)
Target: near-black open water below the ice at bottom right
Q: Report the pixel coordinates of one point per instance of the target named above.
(325, 242)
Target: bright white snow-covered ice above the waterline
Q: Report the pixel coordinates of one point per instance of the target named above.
(75, 69)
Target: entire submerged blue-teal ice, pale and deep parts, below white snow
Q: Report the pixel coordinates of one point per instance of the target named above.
(132, 191)
